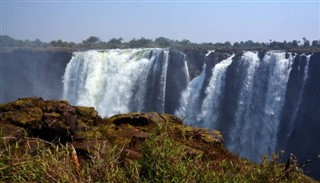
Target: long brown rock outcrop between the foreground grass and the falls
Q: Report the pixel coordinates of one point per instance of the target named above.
(34, 122)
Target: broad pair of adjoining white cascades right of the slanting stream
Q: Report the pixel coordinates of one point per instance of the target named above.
(253, 135)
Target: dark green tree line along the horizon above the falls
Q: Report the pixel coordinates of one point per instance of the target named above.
(162, 42)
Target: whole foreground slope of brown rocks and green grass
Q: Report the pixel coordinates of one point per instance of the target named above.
(158, 146)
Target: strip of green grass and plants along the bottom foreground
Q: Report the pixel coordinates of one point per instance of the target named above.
(164, 160)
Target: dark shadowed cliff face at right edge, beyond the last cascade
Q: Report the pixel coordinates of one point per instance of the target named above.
(304, 140)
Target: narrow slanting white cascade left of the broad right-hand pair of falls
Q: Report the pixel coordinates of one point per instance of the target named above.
(213, 94)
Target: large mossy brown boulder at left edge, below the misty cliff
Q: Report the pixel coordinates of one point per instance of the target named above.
(49, 120)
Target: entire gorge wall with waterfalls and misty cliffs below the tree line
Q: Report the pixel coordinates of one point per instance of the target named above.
(262, 102)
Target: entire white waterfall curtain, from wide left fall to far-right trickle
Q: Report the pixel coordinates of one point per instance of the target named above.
(243, 96)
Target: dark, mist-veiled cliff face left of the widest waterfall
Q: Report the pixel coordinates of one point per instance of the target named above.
(26, 72)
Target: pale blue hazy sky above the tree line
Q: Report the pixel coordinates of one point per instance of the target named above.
(198, 21)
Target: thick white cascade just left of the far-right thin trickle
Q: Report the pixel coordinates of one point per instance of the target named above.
(280, 68)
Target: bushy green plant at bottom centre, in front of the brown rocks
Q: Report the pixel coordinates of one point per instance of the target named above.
(166, 161)
